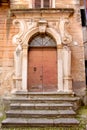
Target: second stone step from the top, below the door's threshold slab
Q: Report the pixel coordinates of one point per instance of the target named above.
(74, 100)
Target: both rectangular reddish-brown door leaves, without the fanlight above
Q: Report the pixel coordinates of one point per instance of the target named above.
(42, 70)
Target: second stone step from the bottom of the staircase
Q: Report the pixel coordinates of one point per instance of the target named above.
(40, 113)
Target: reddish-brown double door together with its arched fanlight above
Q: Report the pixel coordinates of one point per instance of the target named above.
(42, 64)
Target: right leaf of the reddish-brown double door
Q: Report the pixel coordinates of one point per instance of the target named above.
(49, 69)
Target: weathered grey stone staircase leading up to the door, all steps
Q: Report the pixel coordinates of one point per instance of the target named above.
(42, 110)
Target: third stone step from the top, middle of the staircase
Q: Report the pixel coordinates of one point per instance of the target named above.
(41, 106)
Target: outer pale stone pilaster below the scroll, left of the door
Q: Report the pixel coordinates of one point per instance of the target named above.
(18, 68)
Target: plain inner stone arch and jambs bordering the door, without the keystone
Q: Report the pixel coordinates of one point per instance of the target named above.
(27, 37)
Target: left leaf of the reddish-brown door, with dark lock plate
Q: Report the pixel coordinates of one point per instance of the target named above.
(35, 69)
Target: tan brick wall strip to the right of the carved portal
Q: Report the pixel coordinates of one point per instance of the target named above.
(77, 49)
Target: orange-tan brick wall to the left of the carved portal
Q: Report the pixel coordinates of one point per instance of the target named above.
(6, 50)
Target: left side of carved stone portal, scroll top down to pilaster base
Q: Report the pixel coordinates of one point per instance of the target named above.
(20, 54)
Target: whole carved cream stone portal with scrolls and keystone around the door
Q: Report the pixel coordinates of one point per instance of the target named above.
(27, 30)
